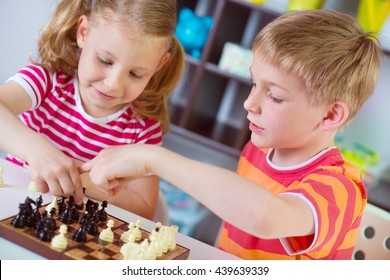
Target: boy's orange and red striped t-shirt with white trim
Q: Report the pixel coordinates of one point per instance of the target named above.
(333, 189)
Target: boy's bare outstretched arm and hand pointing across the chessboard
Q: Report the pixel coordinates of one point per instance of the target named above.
(233, 198)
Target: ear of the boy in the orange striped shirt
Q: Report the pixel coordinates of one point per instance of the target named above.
(336, 116)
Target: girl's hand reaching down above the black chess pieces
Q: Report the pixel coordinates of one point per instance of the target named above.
(53, 171)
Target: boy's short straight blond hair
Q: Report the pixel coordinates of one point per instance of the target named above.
(328, 50)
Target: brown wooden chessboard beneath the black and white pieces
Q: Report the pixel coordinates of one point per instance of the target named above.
(91, 248)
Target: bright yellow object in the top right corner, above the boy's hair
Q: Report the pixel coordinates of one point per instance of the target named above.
(373, 13)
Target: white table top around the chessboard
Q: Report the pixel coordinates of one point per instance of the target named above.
(15, 191)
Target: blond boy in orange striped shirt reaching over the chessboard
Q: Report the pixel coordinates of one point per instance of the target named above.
(294, 196)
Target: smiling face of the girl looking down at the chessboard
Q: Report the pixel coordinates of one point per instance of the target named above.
(115, 65)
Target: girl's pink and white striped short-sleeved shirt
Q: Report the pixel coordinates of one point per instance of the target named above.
(57, 113)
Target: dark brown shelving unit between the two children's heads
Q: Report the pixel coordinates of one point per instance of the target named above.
(208, 102)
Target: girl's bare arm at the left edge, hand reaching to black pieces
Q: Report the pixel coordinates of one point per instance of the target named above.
(50, 169)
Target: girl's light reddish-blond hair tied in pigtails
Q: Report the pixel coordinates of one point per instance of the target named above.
(58, 49)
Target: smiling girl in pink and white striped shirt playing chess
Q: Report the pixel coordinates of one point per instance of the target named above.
(103, 77)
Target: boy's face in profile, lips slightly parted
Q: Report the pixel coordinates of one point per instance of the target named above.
(279, 111)
